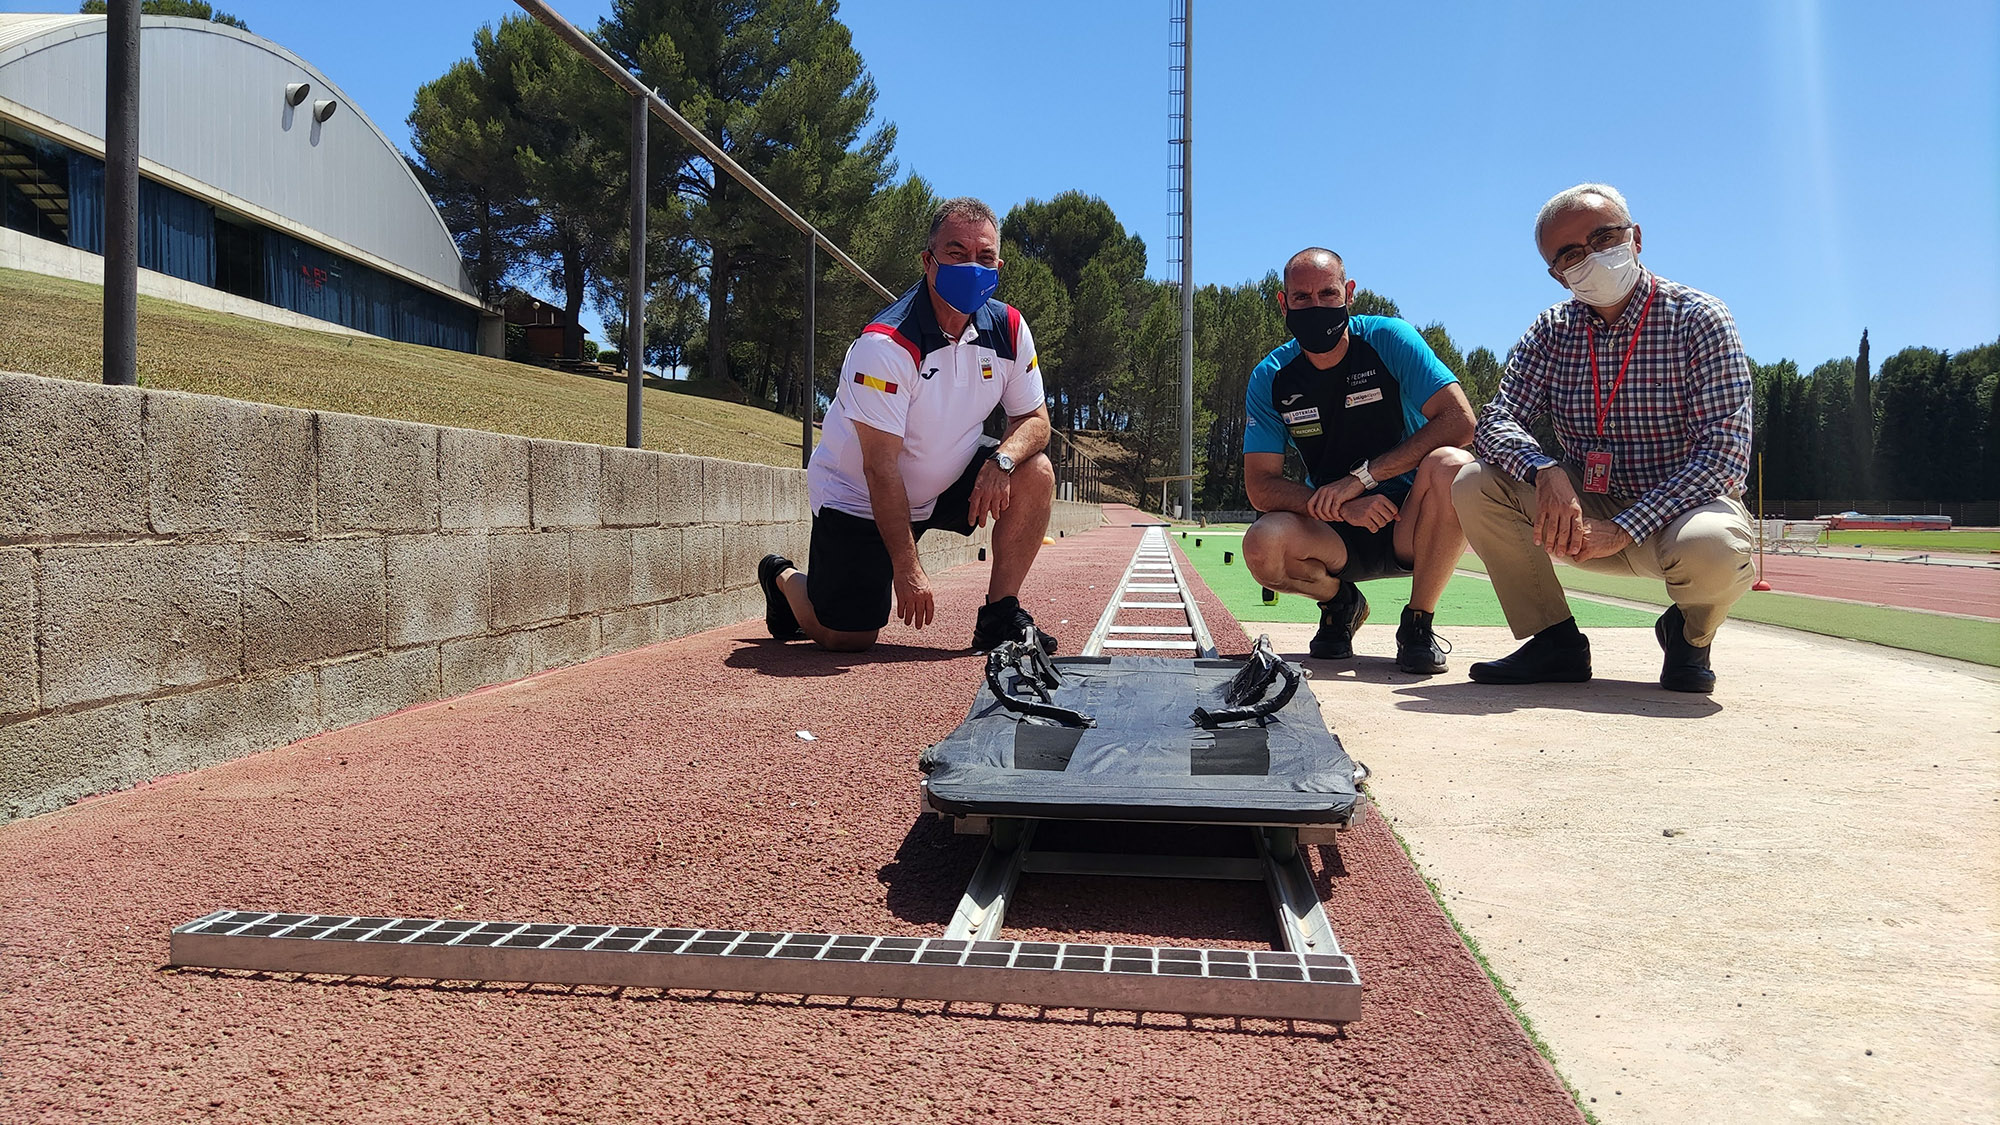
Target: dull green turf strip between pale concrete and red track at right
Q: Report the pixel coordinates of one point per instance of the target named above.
(1955, 638)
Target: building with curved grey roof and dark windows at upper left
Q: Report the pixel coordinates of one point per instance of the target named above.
(263, 191)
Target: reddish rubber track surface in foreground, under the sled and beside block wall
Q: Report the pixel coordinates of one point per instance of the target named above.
(669, 788)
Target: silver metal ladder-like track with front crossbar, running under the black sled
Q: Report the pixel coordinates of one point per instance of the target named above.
(1309, 980)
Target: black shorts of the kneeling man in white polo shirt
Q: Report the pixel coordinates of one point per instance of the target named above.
(851, 578)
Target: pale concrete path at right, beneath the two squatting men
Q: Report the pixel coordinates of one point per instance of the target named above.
(1781, 904)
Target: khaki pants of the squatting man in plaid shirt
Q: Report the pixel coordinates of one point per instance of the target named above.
(1703, 555)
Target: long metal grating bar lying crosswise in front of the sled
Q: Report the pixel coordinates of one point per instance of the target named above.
(1047, 974)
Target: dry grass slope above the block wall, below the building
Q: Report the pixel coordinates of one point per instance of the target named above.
(55, 327)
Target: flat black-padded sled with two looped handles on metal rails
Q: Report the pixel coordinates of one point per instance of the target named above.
(1151, 742)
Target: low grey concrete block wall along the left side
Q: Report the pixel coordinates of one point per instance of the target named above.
(191, 580)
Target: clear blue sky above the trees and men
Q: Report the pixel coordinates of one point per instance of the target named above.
(1819, 165)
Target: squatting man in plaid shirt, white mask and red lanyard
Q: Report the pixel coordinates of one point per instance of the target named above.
(1649, 391)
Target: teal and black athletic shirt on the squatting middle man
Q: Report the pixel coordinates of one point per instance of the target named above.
(1343, 417)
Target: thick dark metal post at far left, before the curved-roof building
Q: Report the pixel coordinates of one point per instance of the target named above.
(121, 193)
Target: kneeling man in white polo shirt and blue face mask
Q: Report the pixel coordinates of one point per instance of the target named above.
(903, 451)
